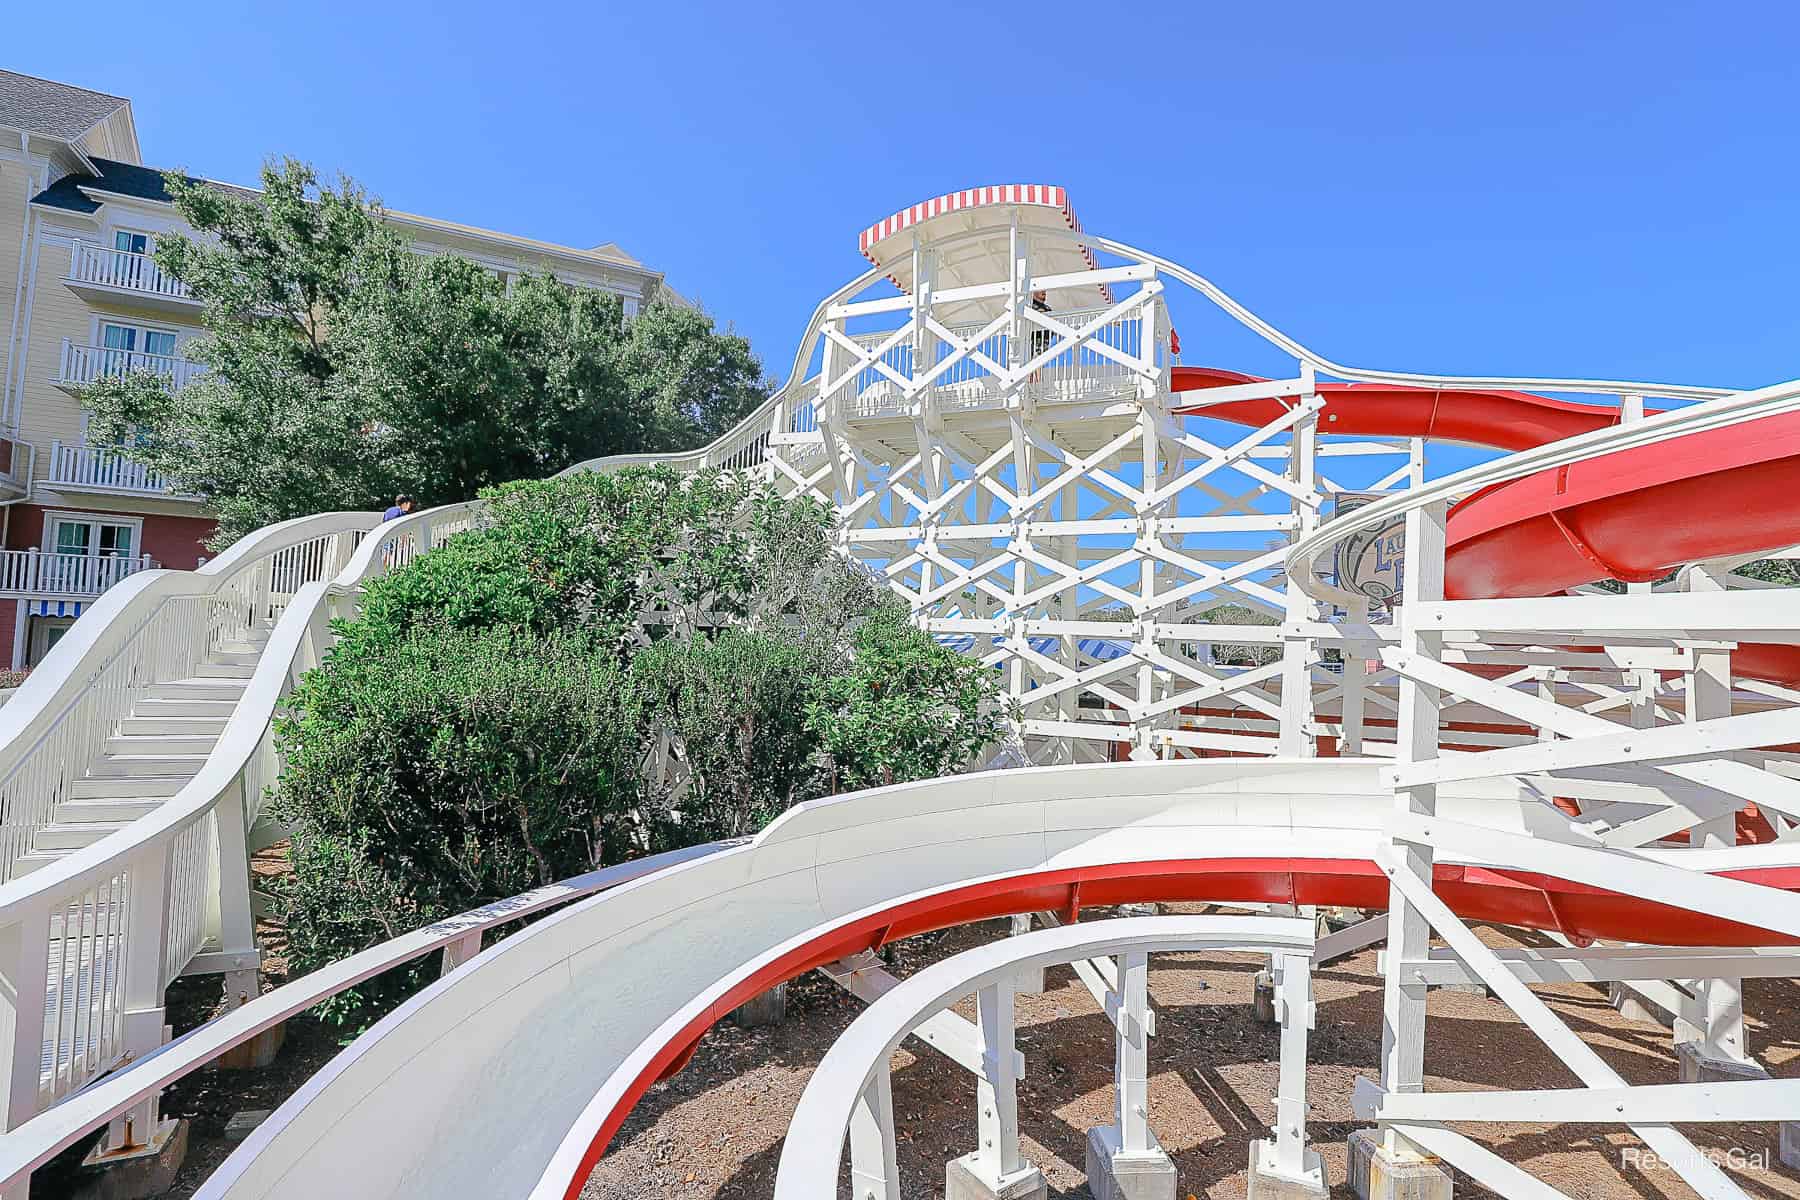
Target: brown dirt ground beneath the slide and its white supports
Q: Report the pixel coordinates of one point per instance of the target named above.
(715, 1131)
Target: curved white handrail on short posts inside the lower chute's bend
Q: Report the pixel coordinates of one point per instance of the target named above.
(811, 1165)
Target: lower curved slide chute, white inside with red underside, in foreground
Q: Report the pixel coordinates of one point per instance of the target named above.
(570, 1023)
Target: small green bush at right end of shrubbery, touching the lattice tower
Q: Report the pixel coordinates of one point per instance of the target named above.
(904, 708)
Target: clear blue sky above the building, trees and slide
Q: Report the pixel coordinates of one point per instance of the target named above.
(1533, 188)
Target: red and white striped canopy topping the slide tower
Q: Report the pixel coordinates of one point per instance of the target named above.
(888, 244)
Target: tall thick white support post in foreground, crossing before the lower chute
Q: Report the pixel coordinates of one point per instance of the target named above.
(1403, 1037)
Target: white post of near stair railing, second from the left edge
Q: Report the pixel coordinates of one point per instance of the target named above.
(141, 1021)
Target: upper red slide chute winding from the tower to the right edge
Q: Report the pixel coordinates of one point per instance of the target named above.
(1630, 515)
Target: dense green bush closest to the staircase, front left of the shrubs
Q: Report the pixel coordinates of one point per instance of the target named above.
(445, 773)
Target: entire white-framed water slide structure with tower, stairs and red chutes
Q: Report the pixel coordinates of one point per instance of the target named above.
(998, 415)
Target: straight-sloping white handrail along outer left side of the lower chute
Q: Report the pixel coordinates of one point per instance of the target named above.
(60, 1127)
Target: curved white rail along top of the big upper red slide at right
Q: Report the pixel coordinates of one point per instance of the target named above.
(1713, 415)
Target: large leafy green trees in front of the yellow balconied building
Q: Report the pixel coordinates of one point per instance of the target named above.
(346, 368)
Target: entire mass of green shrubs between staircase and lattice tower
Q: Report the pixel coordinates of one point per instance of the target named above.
(607, 667)
